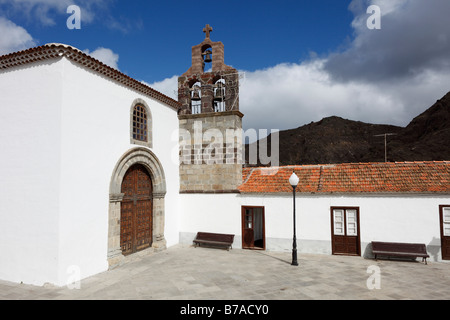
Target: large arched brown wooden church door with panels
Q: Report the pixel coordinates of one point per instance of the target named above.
(136, 210)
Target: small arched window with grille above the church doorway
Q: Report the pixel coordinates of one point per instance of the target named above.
(141, 124)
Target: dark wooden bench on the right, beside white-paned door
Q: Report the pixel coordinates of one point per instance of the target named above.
(402, 250)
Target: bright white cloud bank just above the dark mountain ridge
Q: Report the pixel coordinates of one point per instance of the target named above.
(290, 95)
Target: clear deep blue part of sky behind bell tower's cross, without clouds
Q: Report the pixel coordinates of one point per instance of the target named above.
(153, 38)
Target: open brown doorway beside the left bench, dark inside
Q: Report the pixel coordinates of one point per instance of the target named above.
(253, 234)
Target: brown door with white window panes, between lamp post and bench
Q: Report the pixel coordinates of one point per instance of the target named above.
(345, 239)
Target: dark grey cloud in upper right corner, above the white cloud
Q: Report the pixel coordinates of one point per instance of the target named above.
(414, 37)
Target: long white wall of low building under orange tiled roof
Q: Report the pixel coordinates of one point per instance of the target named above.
(394, 218)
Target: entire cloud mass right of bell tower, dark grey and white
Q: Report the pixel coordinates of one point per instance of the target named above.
(384, 76)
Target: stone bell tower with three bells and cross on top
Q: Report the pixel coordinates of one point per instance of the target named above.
(210, 122)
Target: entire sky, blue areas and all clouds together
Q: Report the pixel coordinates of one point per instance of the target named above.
(302, 60)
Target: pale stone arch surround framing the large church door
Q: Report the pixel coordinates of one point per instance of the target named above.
(136, 158)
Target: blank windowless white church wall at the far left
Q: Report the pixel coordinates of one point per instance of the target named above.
(30, 102)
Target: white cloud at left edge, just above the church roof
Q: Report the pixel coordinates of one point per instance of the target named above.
(13, 37)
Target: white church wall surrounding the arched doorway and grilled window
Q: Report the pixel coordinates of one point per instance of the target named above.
(95, 135)
